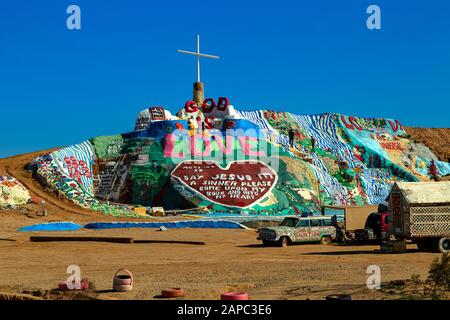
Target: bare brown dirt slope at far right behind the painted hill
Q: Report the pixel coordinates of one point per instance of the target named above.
(437, 139)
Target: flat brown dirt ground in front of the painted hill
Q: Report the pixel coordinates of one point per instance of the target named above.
(231, 260)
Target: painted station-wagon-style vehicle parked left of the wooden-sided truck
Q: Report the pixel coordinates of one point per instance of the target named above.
(297, 230)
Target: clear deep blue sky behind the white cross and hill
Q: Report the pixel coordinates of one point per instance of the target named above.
(59, 87)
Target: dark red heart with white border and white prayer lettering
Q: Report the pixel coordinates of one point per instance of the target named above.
(241, 184)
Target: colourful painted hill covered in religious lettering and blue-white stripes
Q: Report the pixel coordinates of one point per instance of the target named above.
(225, 160)
